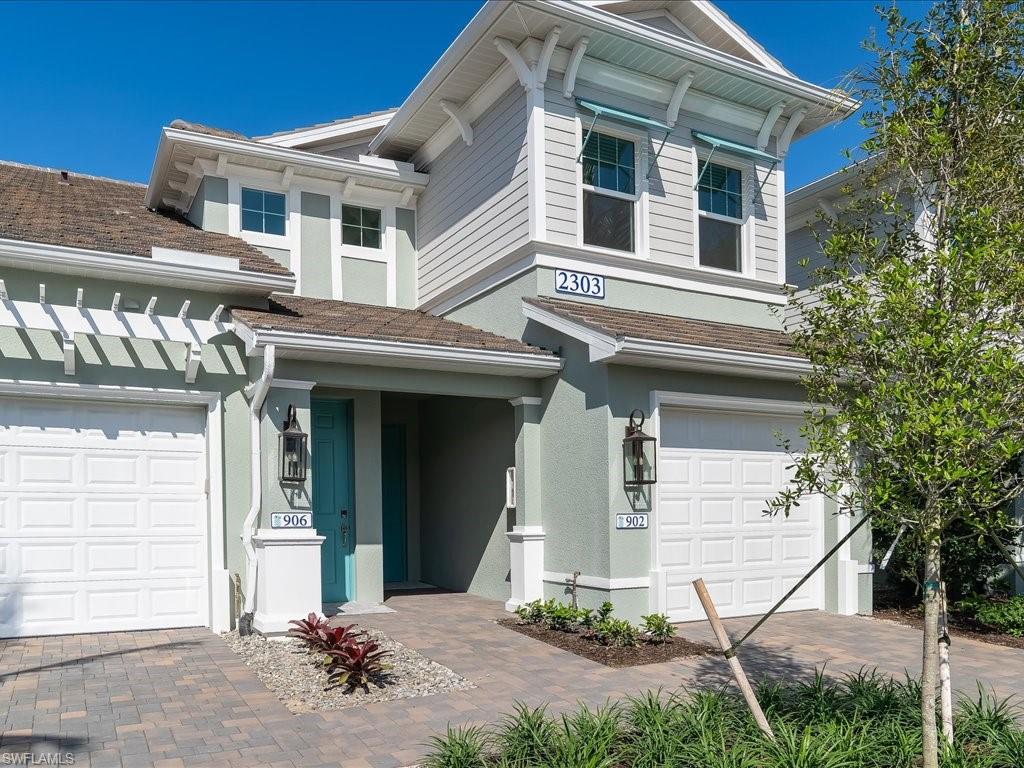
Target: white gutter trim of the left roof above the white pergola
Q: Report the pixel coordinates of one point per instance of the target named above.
(51, 259)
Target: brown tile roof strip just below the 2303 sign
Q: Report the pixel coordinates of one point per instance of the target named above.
(667, 328)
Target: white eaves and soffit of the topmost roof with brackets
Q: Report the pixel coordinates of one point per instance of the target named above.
(473, 67)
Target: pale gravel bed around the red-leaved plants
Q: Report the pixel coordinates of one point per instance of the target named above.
(302, 682)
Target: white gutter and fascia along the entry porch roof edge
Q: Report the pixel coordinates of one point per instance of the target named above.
(399, 355)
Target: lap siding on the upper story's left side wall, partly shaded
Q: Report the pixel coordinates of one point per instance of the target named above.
(476, 207)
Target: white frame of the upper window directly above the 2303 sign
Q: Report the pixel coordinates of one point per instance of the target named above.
(639, 198)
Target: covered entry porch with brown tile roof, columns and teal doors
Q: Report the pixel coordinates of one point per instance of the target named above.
(413, 463)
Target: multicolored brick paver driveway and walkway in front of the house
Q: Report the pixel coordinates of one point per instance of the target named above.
(184, 699)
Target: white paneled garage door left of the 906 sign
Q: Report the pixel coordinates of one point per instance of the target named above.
(103, 518)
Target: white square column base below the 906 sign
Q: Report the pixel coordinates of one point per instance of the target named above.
(288, 583)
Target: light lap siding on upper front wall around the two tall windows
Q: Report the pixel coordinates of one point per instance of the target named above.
(671, 215)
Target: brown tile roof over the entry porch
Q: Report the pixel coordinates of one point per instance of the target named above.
(345, 319)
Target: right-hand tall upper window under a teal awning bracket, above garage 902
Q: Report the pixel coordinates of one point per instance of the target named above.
(720, 200)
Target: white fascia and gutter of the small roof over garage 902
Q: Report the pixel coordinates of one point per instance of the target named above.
(605, 348)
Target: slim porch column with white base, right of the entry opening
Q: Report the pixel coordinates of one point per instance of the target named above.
(527, 537)
